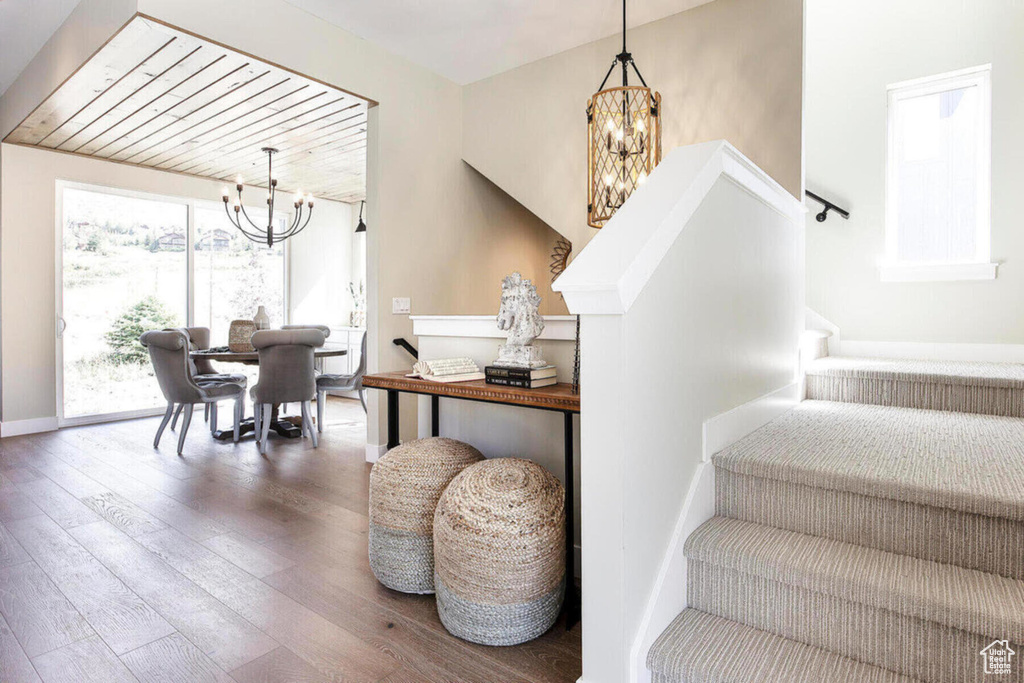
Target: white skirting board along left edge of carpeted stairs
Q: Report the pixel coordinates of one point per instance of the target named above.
(669, 595)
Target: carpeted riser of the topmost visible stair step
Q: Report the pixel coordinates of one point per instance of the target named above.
(928, 396)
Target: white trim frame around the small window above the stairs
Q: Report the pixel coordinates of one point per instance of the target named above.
(893, 270)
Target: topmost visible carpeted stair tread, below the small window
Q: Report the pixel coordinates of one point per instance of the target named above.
(1010, 375)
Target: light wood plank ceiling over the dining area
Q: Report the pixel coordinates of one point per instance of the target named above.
(158, 98)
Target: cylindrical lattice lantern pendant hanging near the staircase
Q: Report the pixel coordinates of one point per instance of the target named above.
(624, 140)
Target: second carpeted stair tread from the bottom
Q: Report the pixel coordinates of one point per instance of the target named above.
(963, 600)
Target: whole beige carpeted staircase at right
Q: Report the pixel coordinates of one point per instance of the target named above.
(864, 543)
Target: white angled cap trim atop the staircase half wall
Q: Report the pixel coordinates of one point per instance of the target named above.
(610, 274)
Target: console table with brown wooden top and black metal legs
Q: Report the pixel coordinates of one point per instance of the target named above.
(559, 398)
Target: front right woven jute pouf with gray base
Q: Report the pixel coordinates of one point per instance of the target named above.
(499, 552)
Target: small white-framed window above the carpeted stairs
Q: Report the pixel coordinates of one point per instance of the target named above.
(938, 196)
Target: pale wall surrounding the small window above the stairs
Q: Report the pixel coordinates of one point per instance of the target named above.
(855, 51)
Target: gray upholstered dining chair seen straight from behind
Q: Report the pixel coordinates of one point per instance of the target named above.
(286, 376)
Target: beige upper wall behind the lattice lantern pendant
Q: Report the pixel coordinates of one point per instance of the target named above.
(732, 70)
